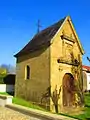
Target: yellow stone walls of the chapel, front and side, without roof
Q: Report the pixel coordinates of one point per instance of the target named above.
(49, 65)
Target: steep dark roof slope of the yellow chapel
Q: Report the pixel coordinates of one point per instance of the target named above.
(41, 39)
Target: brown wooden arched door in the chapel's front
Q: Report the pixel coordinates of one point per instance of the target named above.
(68, 89)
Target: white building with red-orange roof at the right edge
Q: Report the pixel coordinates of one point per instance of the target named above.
(86, 78)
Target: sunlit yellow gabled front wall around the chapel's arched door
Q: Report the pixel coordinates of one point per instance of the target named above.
(61, 49)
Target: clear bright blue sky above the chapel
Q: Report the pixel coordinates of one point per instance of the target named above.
(18, 23)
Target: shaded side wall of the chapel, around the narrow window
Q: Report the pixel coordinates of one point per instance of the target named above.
(36, 86)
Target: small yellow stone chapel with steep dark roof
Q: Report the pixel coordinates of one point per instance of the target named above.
(48, 66)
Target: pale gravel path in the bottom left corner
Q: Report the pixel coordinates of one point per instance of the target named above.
(8, 114)
